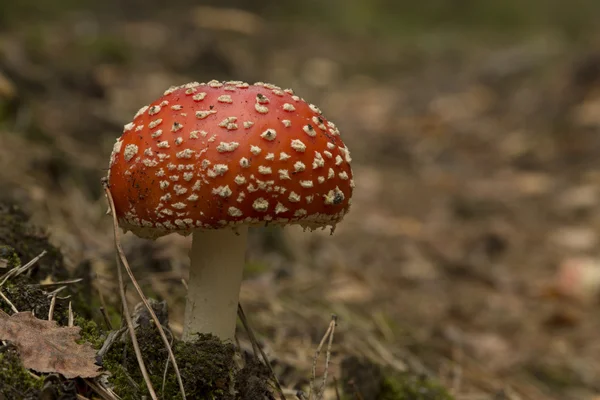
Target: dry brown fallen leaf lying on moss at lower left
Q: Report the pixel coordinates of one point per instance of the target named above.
(46, 347)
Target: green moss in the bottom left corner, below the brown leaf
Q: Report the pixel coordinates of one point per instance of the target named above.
(15, 381)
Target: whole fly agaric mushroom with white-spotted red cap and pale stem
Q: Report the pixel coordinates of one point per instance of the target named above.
(212, 159)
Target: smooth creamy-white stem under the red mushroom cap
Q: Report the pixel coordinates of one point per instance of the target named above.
(216, 269)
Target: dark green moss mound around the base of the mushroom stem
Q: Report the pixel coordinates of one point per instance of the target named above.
(206, 364)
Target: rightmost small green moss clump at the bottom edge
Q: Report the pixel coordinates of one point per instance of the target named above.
(411, 387)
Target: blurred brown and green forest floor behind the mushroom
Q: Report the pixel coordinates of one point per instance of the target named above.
(470, 253)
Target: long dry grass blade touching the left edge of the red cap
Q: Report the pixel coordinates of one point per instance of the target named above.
(121, 255)
